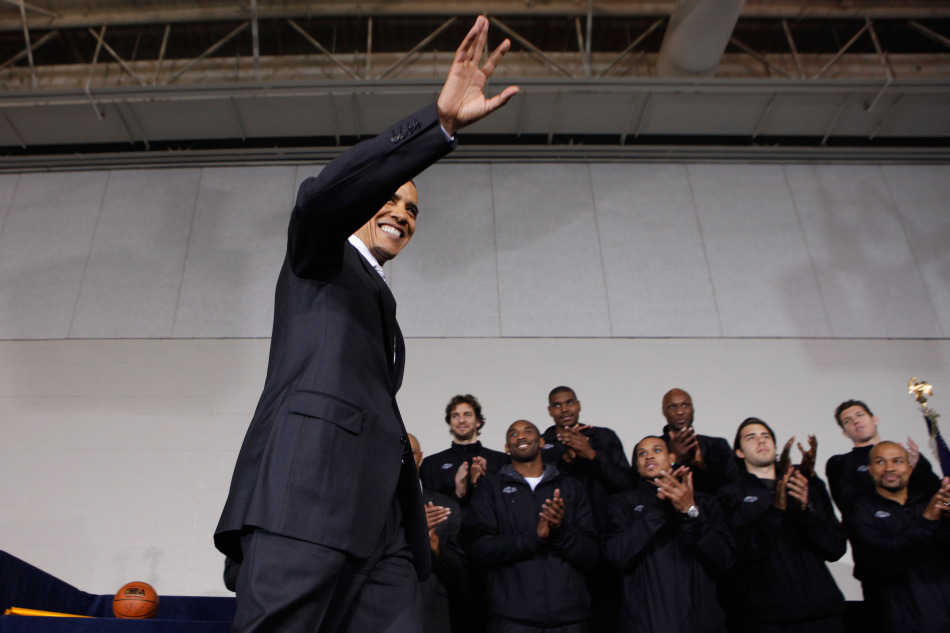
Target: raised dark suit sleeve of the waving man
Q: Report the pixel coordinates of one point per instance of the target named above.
(352, 188)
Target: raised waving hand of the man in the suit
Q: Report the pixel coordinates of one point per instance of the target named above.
(462, 101)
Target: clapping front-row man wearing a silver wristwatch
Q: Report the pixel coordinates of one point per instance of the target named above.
(670, 543)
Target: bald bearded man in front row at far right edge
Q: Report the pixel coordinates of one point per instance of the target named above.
(901, 540)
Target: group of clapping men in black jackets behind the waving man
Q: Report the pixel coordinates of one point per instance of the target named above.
(560, 534)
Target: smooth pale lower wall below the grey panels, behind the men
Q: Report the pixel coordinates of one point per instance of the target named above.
(115, 456)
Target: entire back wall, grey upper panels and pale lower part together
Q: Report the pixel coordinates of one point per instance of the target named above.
(135, 306)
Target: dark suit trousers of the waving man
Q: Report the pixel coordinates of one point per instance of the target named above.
(294, 586)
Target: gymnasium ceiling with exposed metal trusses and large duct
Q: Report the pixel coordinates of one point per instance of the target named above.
(95, 83)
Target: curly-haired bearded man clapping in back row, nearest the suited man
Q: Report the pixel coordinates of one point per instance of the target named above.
(458, 469)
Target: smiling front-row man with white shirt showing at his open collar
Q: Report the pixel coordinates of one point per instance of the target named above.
(531, 529)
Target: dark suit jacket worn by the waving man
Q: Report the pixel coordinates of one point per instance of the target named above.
(326, 451)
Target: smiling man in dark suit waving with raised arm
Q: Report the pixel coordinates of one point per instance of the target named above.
(325, 507)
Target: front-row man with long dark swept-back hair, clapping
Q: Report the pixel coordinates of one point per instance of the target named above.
(785, 529)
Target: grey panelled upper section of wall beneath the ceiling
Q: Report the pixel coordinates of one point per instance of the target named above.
(501, 250)
